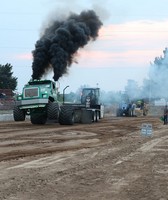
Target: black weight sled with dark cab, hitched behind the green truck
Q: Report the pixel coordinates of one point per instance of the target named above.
(87, 111)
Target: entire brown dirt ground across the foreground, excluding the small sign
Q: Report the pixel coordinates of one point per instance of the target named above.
(105, 160)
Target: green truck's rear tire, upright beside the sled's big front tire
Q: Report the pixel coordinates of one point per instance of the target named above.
(53, 111)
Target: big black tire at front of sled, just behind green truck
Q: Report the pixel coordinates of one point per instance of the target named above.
(66, 116)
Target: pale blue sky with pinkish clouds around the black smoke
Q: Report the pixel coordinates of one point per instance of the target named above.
(134, 32)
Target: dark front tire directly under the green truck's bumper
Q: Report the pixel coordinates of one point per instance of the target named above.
(38, 118)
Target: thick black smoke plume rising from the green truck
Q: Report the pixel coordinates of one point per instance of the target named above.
(60, 42)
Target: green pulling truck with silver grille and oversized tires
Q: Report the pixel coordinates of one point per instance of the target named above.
(39, 100)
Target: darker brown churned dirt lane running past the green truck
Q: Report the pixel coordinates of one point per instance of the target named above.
(25, 139)
